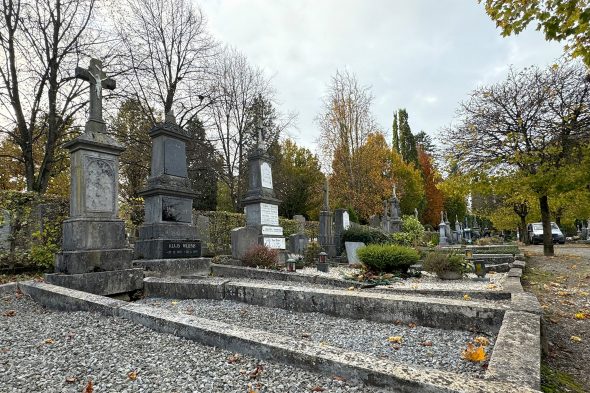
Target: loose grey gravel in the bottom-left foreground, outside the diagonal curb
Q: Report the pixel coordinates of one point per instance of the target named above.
(49, 351)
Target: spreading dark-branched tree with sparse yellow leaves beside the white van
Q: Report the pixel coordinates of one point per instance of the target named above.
(536, 123)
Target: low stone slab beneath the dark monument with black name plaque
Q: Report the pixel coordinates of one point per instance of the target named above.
(173, 267)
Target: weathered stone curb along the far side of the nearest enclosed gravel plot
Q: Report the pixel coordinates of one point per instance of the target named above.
(375, 306)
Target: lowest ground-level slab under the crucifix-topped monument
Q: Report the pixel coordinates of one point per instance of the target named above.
(100, 283)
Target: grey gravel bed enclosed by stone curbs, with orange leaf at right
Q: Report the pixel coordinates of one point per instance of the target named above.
(411, 344)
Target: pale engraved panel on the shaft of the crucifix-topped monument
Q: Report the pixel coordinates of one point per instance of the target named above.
(100, 184)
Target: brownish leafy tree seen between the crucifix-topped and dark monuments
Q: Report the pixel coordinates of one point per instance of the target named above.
(131, 128)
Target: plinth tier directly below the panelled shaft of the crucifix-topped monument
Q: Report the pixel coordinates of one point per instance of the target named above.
(93, 234)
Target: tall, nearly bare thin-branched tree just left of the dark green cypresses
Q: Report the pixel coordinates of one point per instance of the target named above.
(345, 119)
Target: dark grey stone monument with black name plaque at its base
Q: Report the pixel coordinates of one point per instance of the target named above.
(168, 231)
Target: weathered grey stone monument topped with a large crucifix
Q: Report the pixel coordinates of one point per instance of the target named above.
(96, 256)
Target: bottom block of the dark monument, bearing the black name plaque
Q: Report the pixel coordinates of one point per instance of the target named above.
(167, 248)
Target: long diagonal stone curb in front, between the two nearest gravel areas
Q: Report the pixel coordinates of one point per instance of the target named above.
(269, 346)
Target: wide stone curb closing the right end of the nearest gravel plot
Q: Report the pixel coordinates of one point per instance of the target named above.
(517, 353)
